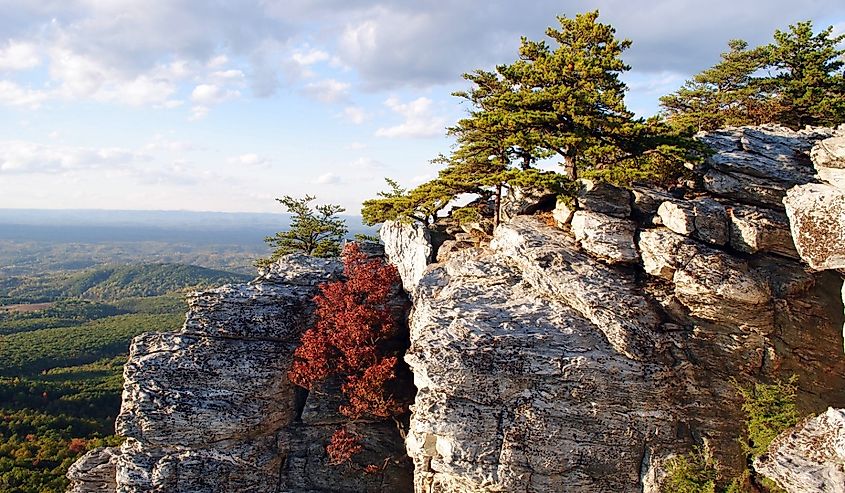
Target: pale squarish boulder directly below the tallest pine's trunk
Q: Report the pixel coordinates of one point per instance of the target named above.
(606, 237)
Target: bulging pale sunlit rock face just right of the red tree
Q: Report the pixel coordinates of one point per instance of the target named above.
(509, 372)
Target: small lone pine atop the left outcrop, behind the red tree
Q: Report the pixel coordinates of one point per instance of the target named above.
(315, 231)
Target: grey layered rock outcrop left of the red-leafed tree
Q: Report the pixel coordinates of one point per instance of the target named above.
(210, 408)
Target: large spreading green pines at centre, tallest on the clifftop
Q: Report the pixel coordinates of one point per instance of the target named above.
(562, 97)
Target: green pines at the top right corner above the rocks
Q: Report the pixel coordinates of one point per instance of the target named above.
(796, 80)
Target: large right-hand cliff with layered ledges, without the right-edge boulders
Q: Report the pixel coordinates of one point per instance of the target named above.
(546, 361)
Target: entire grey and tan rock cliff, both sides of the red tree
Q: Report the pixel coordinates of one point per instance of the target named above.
(576, 352)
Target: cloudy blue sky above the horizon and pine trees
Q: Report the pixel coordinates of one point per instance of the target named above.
(226, 105)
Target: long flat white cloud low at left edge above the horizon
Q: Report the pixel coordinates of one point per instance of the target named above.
(18, 157)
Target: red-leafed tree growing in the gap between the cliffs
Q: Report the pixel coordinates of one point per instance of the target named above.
(355, 339)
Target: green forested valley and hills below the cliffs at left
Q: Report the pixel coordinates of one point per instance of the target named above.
(64, 338)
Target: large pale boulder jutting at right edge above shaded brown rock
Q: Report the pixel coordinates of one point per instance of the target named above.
(817, 219)
